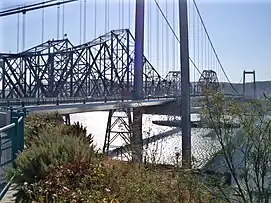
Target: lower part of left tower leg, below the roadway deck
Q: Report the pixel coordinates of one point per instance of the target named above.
(136, 139)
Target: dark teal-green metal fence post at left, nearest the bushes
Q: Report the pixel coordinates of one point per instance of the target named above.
(14, 133)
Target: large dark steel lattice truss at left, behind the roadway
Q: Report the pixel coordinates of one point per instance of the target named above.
(102, 67)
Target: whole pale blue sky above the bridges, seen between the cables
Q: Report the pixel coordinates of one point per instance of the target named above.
(240, 31)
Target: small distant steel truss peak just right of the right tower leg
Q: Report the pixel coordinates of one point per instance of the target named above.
(208, 80)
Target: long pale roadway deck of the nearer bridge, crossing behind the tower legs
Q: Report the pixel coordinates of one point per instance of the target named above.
(163, 105)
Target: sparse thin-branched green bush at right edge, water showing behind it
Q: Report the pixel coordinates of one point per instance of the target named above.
(245, 152)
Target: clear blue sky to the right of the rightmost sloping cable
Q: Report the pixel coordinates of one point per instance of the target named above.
(241, 34)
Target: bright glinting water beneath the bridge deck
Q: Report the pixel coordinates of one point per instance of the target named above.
(162, 151)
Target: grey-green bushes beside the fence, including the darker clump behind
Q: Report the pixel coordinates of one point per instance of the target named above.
(50, 144)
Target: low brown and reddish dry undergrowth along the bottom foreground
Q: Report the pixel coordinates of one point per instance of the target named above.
(111, 181)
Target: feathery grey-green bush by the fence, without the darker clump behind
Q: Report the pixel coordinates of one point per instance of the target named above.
(48, 152)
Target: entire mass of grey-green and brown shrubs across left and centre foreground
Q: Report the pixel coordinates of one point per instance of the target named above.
(61, 165)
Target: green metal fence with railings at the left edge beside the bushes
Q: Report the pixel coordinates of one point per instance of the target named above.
(11, 142)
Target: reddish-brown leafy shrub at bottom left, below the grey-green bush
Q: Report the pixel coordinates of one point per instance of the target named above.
(69, 183)
